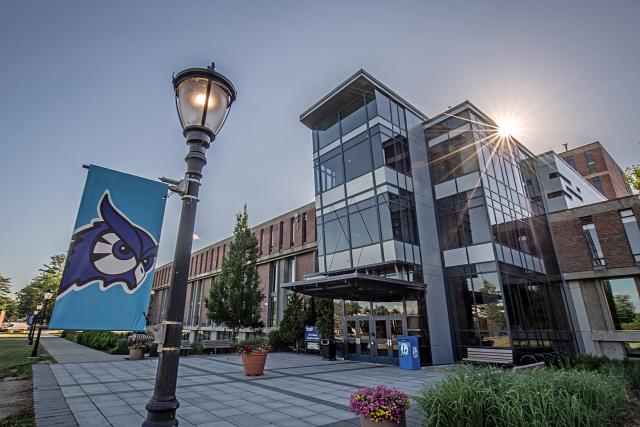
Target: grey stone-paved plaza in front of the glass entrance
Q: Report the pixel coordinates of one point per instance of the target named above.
(296, 390)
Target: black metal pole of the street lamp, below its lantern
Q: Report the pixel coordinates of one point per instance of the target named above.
(161, 409)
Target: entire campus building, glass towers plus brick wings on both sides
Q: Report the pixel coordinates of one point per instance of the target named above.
(443, 229)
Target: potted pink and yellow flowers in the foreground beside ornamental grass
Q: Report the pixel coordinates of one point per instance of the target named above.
(380, 406)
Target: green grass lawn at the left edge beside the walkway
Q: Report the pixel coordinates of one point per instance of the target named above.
(15, 361)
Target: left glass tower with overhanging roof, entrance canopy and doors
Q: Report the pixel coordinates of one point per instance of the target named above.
(378, 250)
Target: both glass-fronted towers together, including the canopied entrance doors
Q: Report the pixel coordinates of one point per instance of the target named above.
(443, 203)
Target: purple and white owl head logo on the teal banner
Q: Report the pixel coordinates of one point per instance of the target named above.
(111, 250)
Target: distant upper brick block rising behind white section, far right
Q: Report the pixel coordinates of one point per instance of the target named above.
(594, 163)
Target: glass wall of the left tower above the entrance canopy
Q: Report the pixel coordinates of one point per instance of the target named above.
(363, 185)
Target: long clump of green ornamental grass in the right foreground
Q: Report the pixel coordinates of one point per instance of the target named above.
(536, 397)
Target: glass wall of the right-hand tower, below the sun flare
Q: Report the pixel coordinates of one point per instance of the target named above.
(494, 207)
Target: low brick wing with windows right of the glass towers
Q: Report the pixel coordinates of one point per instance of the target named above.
(598, 249)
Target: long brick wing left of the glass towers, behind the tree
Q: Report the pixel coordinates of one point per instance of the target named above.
(287, 253)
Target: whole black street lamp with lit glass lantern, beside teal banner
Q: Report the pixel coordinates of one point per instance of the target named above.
(203, 99)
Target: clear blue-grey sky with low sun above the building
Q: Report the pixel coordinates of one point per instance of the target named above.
(90, 82)
